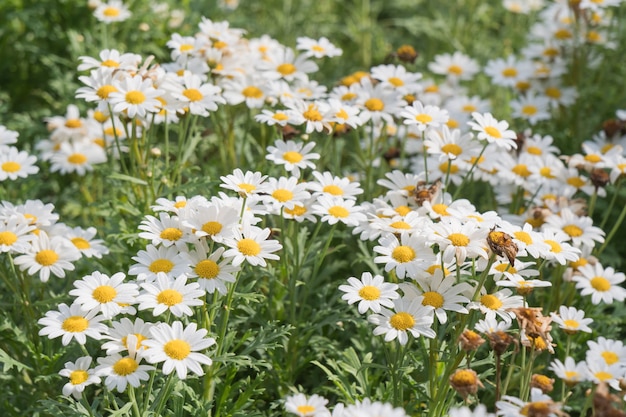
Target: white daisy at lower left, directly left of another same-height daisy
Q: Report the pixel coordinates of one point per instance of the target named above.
(103, 294)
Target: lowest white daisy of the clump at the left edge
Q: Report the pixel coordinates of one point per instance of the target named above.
(48, 256)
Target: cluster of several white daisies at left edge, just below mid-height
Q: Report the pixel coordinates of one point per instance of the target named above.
(39, 244)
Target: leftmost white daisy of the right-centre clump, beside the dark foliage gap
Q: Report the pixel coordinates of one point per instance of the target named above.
(371, 292)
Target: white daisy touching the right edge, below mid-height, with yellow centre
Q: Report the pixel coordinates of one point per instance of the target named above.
(603, 284)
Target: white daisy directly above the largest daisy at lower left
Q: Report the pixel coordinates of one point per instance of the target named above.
(168, 294)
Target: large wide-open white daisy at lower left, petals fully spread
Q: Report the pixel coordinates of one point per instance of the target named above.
(179, 348)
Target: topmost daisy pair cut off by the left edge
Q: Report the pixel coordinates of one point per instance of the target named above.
(14, 163)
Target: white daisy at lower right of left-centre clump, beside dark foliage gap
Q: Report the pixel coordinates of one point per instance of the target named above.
(251, 244)
